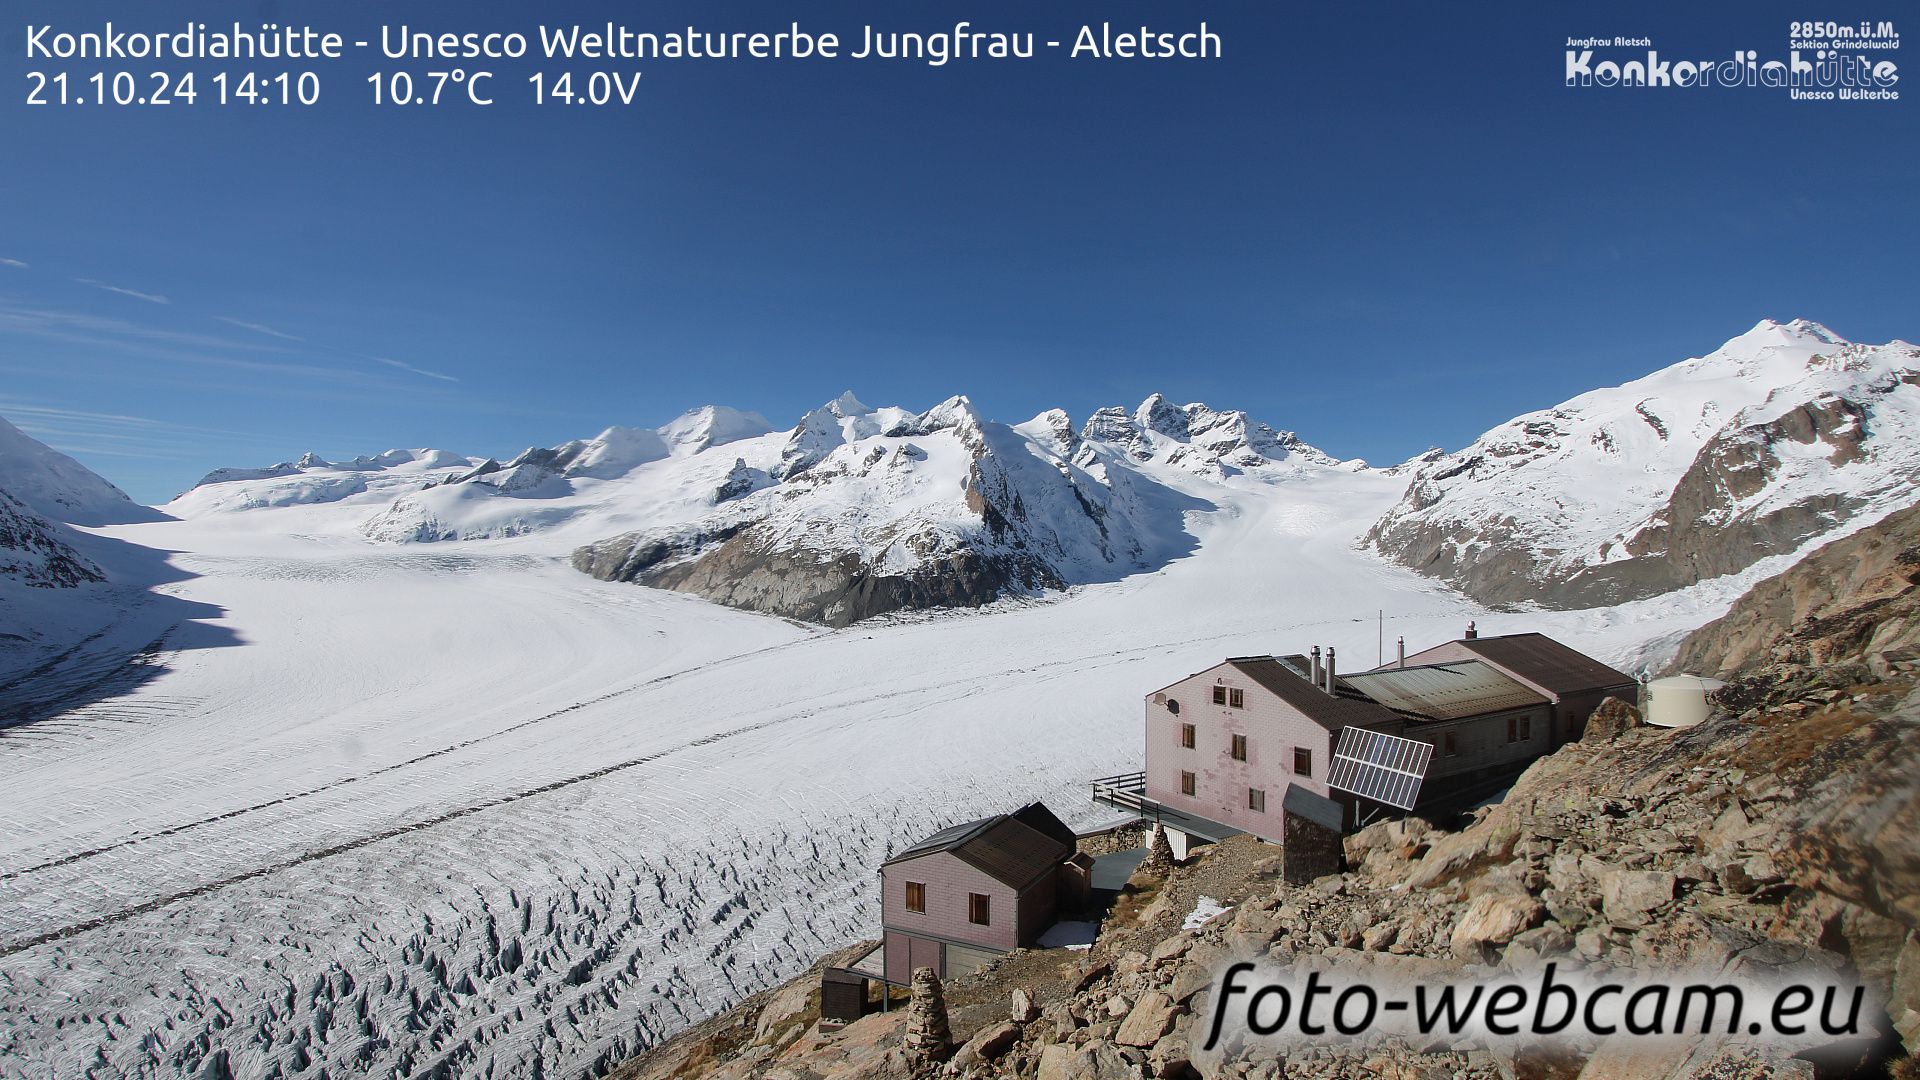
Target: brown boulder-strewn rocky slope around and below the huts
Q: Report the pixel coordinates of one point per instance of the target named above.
(1779, 833)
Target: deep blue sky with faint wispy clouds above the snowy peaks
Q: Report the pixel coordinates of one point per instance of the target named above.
(1380, 226)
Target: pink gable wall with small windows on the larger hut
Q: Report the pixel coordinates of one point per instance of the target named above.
(1272, 729)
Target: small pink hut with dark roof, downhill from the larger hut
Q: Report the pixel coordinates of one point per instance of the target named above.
(976, 891)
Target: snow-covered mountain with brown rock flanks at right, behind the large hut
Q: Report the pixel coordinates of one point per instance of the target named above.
(1700, 470)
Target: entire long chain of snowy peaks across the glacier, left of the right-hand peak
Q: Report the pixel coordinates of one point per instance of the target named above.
(850, 514)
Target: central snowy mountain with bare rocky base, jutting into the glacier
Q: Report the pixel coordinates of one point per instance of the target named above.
(876, 510)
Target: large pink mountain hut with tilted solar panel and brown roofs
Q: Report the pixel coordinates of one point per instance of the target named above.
(1257, 743)
